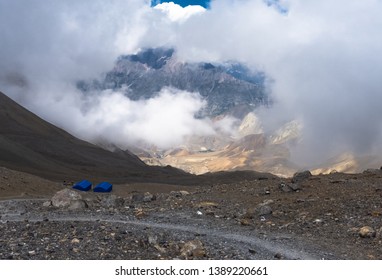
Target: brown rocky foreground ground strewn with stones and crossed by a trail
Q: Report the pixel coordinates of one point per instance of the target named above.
(336, 216)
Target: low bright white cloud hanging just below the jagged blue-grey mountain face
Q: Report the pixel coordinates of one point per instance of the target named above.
(164, 120)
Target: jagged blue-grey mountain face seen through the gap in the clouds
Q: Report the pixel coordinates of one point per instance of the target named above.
(230, 88)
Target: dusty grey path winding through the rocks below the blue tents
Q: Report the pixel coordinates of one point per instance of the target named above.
(20, 212)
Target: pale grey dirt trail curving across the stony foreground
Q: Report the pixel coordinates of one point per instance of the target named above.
(15, 211)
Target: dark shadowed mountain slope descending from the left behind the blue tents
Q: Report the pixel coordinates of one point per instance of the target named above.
(30, 144)
